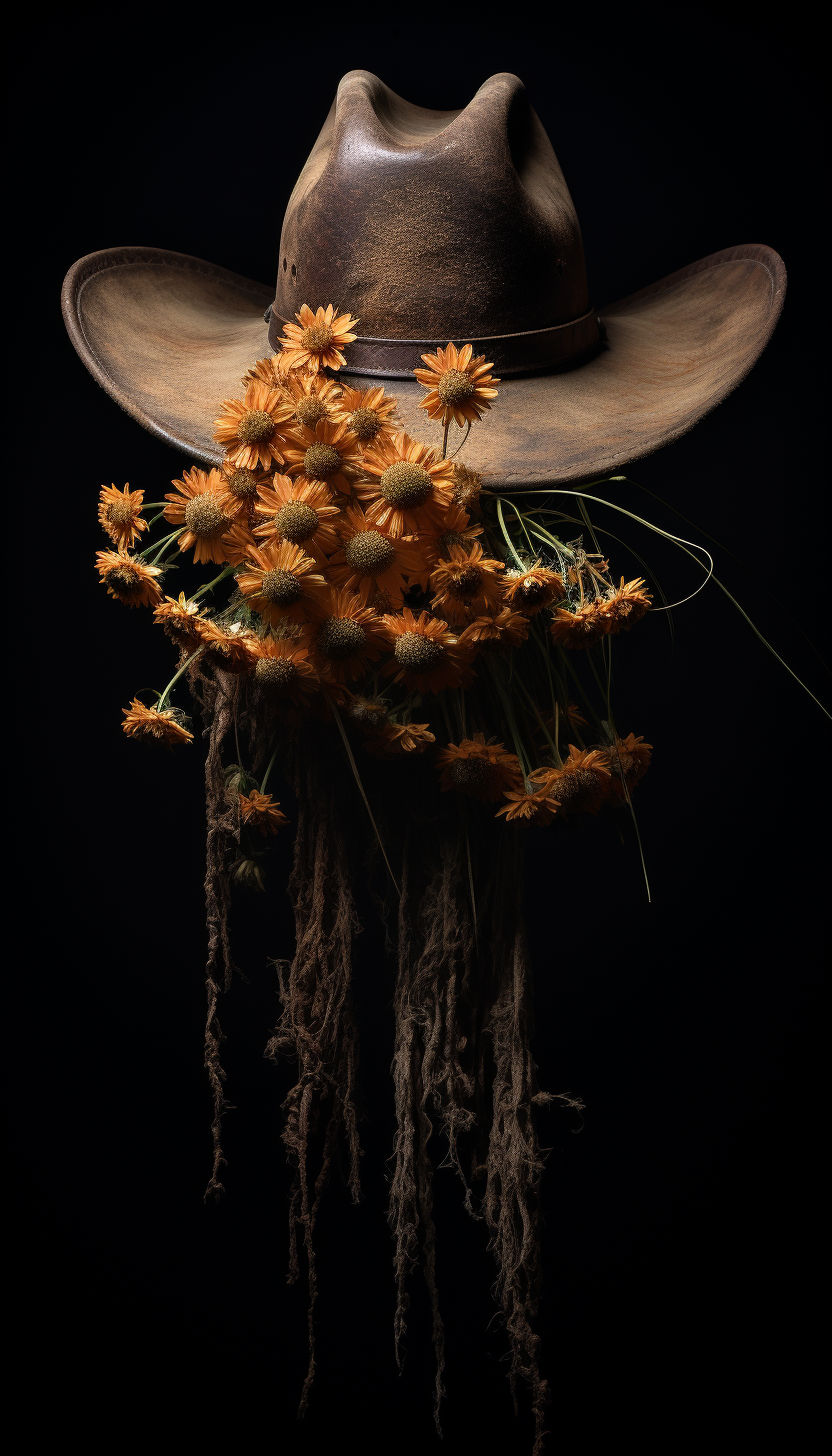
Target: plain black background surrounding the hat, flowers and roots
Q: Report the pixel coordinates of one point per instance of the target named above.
(680, 1276)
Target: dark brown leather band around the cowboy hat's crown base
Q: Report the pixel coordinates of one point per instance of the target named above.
(511, 353)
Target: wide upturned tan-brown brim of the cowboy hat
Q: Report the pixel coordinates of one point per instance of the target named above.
(171, 337)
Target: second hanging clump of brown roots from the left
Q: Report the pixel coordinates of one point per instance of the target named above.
(317, 1029)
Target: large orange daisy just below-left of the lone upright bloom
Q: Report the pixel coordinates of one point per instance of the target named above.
(410, 487)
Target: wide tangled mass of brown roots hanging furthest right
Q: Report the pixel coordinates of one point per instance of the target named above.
(463, 1062)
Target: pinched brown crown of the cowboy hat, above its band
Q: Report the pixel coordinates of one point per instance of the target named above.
(433, 225)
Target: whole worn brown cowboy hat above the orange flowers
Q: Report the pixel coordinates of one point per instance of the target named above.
(432, 228)
